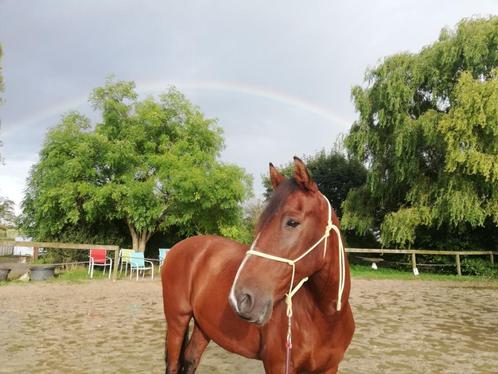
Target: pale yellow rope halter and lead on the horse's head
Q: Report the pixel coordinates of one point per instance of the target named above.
(292, 263)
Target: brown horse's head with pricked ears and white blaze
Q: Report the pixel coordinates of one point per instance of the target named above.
(294, 223)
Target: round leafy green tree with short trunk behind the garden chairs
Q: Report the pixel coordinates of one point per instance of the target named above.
(151, 165)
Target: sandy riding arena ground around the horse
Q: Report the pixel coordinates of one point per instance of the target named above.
(104, 327)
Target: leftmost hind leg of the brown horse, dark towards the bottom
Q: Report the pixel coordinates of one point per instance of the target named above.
(176, 339)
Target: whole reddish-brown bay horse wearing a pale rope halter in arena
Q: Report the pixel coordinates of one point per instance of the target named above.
(235, 296)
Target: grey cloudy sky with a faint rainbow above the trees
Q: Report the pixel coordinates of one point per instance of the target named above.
(276, 74)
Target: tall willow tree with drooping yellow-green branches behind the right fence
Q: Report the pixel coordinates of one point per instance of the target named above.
(428, 131)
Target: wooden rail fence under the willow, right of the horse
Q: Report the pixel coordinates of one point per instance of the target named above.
(415, 252)
